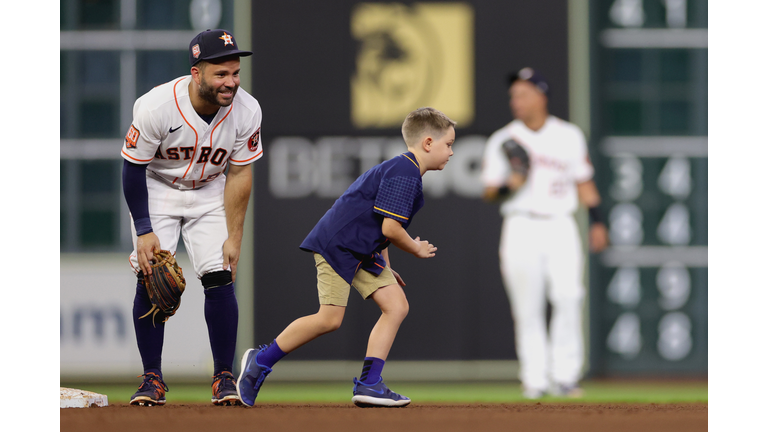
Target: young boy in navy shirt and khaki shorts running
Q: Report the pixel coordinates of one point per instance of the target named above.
(349, 245)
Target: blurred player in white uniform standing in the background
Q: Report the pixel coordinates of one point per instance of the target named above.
(540, 249)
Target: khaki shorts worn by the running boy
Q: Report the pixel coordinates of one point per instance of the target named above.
(332, 289)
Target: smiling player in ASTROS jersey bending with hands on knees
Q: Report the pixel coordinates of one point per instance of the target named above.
(184, 136)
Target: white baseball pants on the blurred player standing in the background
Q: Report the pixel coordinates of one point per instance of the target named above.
(534, 251)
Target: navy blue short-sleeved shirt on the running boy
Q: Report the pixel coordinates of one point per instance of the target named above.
(349, 235)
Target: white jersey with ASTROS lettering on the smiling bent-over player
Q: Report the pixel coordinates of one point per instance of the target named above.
(180, 147)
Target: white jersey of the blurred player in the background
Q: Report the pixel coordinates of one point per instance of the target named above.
(559, 161)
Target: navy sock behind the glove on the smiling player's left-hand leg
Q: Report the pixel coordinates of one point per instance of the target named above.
(149, 337)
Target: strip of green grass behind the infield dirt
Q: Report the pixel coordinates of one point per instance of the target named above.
(431, 392)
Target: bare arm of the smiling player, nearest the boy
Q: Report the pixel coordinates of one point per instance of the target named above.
(237, 192)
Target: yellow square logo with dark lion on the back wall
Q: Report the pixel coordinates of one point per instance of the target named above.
(410, 57)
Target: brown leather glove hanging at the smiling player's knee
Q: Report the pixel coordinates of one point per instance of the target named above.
(165, 286)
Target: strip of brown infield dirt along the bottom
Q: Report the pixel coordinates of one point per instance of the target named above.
(417, 417)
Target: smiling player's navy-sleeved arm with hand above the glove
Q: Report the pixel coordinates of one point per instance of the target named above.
(137, 198)
